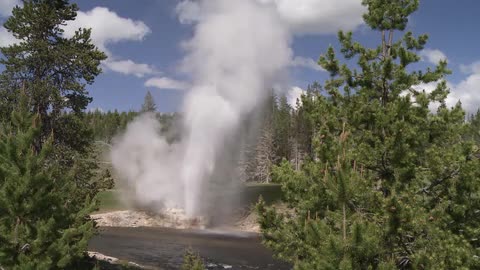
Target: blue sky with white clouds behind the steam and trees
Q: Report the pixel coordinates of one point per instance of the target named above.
(143, 41)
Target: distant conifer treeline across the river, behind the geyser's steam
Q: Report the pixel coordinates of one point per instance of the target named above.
(283, 132)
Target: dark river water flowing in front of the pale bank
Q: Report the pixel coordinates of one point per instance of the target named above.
(164, 248)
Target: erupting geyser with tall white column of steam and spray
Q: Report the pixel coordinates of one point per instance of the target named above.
(238, 50)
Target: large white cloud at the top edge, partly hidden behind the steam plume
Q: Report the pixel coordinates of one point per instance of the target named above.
(302, 16)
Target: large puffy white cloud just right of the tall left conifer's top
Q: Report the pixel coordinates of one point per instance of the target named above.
(107, 27)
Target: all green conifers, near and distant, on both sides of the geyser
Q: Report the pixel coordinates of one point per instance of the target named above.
(374, 178)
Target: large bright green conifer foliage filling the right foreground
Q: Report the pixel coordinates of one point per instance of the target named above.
(392, 185)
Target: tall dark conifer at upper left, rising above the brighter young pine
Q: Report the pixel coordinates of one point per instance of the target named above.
(49, 67)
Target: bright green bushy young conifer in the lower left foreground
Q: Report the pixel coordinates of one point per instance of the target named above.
(44, 224)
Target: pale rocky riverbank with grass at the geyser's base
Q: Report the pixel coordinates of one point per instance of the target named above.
(114, 212)
